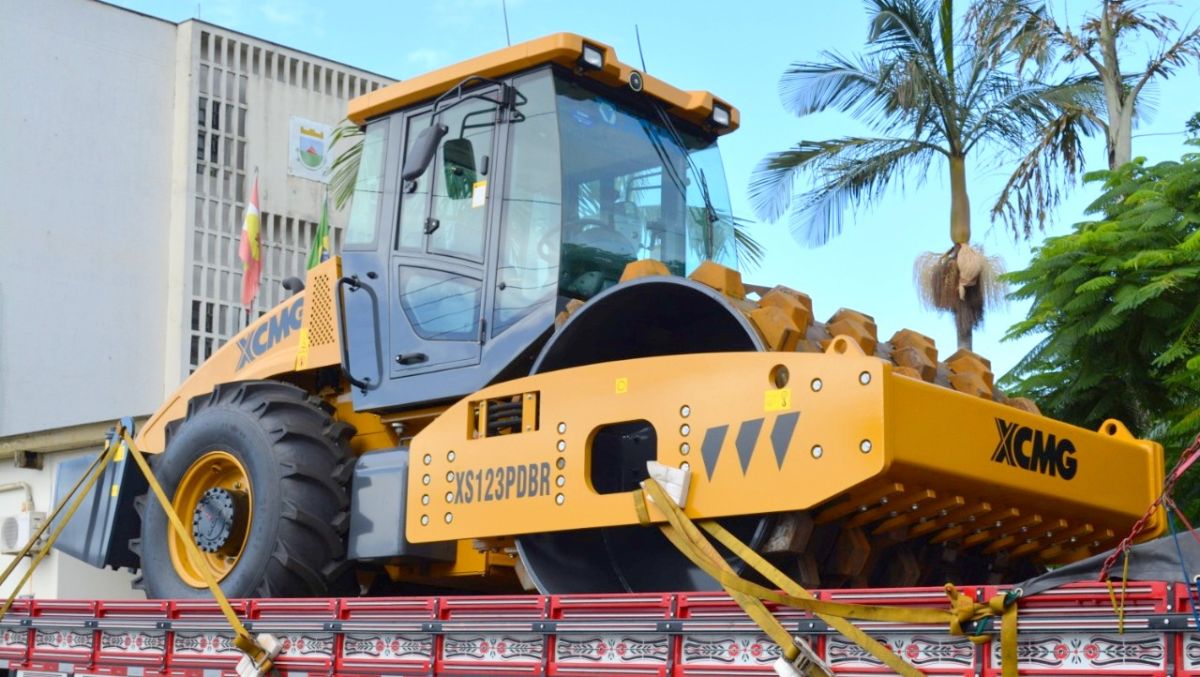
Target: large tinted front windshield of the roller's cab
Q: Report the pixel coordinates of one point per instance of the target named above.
(635, 185)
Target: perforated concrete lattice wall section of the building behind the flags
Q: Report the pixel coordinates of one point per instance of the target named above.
(245, 93)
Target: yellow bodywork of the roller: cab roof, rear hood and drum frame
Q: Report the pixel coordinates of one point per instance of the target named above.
(817, 426)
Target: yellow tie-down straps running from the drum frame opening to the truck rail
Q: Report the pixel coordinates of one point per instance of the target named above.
(687, 537)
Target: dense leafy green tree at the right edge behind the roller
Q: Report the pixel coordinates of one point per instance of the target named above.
(1117, 305)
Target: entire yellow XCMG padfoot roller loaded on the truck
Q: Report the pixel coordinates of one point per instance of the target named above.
(537, 303)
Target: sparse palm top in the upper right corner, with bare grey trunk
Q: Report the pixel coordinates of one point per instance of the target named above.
(1041, 39)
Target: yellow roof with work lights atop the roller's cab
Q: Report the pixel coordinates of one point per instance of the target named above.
(563, 49)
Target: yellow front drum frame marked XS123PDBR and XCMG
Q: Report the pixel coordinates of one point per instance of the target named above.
(845, 439)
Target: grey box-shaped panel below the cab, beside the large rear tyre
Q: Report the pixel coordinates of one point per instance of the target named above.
(377, 511)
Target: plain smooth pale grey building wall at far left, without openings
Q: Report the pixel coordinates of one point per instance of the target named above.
(86, 160)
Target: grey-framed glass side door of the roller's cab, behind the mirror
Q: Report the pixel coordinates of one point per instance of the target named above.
(440, 263)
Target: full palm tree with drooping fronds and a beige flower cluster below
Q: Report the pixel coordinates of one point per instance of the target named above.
(931, 97)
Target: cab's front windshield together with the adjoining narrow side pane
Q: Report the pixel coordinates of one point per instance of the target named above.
(592, 184)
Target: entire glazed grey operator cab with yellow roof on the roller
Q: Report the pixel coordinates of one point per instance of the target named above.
(488, 205)
